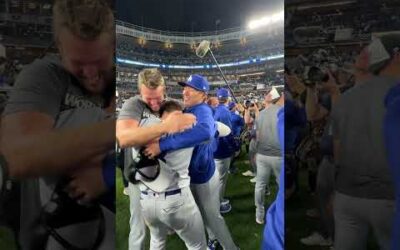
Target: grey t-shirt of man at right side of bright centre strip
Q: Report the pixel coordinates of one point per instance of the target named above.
(267, 132)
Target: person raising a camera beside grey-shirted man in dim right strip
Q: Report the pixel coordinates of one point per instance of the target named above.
(315, 150)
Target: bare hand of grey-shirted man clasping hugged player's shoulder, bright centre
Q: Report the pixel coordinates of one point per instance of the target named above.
(178, 122)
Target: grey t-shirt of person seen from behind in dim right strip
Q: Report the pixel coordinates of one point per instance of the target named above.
(357, 122)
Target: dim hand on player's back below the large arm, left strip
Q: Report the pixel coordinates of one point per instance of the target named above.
(86, 184)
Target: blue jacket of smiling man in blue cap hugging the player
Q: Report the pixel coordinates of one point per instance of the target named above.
(201, 137)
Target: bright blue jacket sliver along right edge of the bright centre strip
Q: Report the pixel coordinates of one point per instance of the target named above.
(274, 229)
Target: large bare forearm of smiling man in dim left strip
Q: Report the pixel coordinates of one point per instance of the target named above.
(33, 148)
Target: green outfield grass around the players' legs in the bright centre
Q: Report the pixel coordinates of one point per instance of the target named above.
(246, 233)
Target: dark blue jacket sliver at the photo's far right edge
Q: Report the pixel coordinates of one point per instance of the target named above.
(392, 140)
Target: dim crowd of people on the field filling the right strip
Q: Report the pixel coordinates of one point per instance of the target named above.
(336, 109)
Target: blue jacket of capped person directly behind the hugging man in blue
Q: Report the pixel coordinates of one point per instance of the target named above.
(225, 145)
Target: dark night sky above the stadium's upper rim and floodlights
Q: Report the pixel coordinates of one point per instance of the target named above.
(199, 15)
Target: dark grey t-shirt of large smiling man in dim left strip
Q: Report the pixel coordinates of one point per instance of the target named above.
(46, 87)
